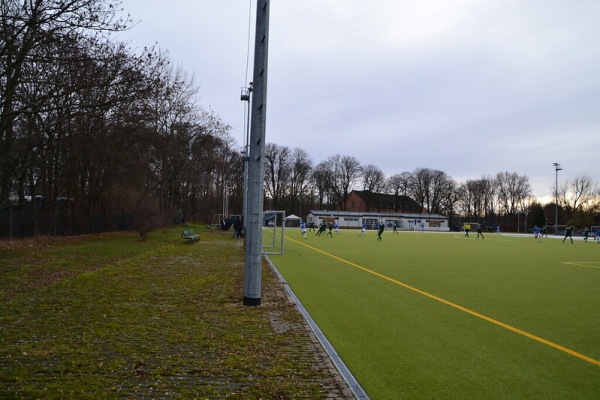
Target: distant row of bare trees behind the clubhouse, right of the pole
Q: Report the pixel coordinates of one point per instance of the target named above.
(292, 182)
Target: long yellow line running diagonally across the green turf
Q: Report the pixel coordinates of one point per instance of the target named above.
(459, 307)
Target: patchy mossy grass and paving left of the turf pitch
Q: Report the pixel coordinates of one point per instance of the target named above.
(110, 316)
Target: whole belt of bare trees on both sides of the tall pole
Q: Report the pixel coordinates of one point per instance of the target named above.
(97, 136)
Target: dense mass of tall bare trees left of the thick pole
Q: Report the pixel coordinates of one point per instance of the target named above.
(91, 129)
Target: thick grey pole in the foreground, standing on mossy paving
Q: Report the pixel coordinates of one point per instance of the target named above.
(253, 255)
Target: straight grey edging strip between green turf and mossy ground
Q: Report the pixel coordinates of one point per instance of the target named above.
(353, 384)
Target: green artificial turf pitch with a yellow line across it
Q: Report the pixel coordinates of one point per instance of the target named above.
(400, 312)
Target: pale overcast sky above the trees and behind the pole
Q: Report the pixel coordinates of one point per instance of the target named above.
(468, 87)
